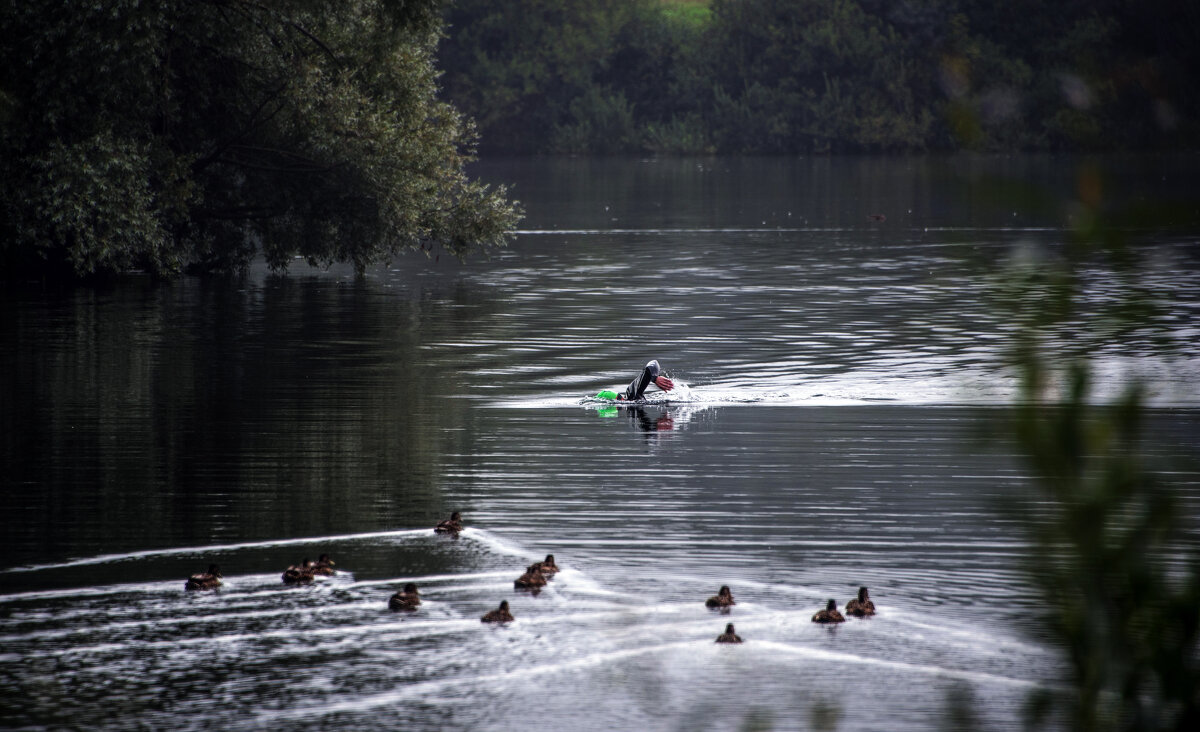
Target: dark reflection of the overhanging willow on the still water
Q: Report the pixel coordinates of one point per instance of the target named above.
(194, 407)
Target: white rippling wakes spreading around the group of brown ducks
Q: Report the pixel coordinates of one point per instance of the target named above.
(580, 621)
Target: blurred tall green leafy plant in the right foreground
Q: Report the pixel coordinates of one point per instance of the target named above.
(1118, 583)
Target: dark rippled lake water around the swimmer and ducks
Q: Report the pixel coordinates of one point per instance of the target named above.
(838, 380)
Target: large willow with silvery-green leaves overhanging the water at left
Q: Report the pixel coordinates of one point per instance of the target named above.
(164, 135)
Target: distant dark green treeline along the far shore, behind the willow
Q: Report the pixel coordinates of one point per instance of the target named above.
(825, 76)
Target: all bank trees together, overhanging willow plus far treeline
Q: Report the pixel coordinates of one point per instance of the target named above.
(182, 136)
